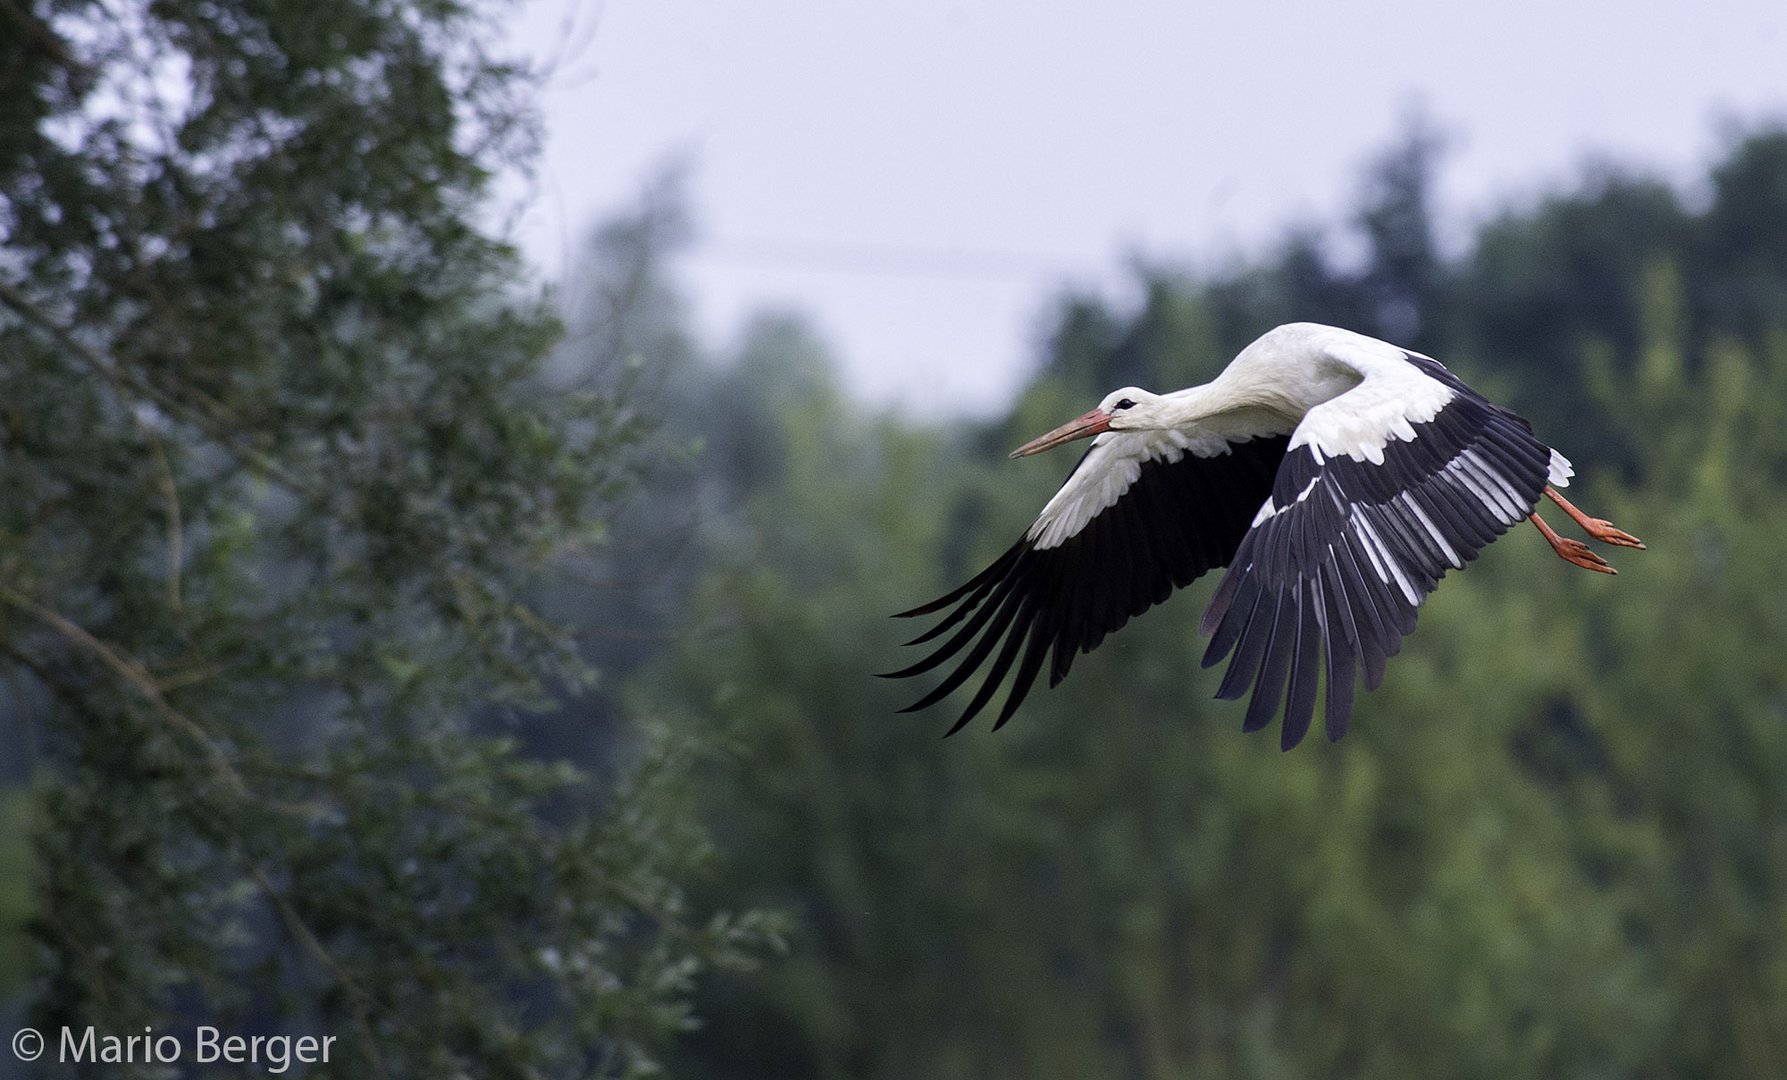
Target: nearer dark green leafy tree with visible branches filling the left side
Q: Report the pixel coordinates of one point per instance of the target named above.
(280, 450)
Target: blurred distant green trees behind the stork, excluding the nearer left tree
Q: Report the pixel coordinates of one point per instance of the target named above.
(1550, 847)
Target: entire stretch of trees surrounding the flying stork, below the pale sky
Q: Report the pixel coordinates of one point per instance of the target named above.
(396, 655)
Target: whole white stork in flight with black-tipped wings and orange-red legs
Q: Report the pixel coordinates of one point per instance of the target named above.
(1334, 475)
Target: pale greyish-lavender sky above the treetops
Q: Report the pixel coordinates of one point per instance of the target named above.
(923, 176)
